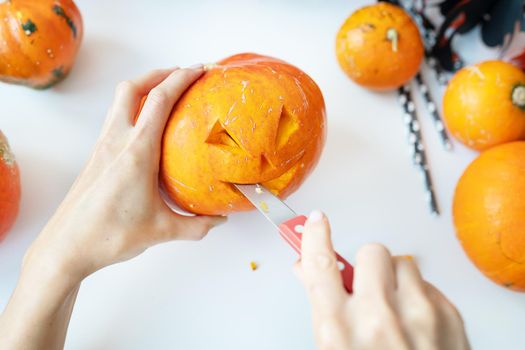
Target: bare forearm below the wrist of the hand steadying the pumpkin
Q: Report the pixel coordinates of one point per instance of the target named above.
(38, 313)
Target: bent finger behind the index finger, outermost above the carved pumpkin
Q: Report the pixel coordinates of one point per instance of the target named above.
(127, 98)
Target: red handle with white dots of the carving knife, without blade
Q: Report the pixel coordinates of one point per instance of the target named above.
(291, 231)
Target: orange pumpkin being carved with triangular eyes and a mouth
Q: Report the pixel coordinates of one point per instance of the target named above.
(249, 119)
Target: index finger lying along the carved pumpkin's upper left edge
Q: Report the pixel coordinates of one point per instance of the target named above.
(161, 99)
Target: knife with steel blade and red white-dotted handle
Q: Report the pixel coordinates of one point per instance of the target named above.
(289, 224)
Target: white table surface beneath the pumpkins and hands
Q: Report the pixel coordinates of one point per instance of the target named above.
(204, 295)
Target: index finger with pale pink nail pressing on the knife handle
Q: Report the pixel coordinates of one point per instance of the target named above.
(321, 275)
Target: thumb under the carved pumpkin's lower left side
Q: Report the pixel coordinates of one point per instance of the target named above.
(172, 226)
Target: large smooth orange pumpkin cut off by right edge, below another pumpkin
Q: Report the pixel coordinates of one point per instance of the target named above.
(489, 214)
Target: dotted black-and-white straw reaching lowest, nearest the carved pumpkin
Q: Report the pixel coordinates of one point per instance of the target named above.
(417, 149)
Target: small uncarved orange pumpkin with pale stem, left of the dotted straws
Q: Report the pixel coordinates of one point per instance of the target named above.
(379, 47)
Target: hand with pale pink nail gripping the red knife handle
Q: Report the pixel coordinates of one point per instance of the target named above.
(392, 307)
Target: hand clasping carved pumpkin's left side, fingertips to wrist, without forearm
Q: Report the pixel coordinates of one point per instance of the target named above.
(114, 210)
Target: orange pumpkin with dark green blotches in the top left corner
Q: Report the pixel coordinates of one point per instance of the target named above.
(39, 41)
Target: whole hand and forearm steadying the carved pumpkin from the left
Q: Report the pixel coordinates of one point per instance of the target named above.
(113, 212)
